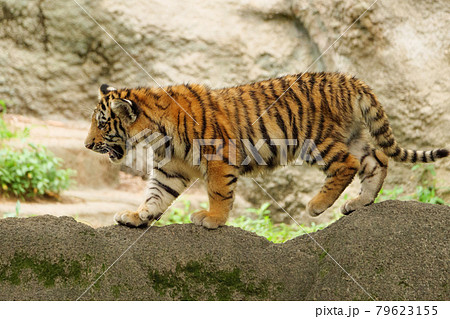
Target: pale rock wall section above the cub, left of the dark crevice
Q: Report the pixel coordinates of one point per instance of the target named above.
(53, 56)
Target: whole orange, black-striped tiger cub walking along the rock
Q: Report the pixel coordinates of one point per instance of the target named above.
(331, 111)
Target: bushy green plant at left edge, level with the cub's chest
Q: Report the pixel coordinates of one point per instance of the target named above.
(32, 171)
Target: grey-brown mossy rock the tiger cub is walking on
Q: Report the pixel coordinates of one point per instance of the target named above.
(394, 250)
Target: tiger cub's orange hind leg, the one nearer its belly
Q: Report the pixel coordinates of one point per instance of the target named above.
(340, 170)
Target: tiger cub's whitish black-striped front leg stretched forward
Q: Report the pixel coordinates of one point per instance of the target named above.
(163, 188)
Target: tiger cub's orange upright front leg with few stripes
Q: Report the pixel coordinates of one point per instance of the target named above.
(221, 182)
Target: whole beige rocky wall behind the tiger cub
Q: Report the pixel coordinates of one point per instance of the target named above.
(53, 57)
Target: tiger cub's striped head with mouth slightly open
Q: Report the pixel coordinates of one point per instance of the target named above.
(111, 120)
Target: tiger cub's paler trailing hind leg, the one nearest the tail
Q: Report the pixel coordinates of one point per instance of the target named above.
(372, 172)
